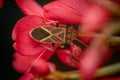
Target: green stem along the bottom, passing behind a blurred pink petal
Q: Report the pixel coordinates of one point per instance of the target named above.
(76, 75)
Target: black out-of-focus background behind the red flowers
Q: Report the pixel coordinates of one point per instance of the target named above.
(9, 15)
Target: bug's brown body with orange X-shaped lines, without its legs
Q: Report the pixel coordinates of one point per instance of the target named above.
(58, 35)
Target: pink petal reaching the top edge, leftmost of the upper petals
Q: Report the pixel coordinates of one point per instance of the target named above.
(30, 7)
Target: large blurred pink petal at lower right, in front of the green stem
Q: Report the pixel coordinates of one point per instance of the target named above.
(95, 56)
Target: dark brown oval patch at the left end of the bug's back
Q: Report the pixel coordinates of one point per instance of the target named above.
(39, 34)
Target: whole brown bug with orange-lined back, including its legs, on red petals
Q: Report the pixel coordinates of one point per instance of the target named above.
(63, 35)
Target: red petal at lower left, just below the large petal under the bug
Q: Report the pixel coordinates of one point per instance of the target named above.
(21, 63)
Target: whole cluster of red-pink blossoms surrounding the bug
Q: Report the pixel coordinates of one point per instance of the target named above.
(31, 58)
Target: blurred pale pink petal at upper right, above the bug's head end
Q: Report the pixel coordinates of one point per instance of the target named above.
(94, 19)
